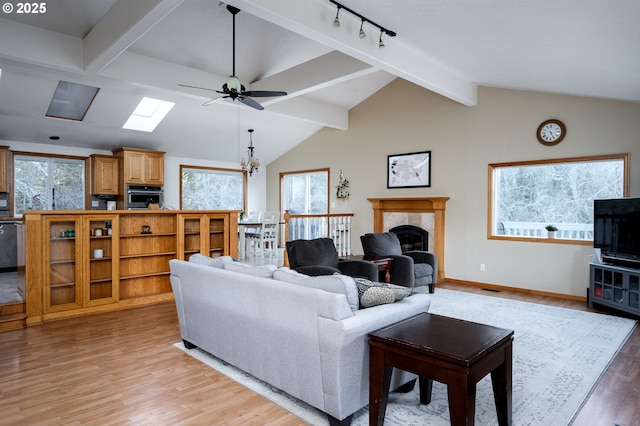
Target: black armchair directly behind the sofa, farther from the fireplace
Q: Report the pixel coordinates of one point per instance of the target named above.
(319, 257)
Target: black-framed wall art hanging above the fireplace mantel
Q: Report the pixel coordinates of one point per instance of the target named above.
(410, 170)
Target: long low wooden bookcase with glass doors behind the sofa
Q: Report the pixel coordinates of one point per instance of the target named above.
(64, 277)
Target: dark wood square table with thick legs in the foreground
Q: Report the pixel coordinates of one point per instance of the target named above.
(451, 351)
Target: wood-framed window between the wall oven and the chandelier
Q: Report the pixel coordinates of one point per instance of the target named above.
(210, 188)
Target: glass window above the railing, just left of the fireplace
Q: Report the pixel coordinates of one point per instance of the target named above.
(305, 192)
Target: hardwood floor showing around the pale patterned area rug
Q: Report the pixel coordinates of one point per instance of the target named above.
(121, 368)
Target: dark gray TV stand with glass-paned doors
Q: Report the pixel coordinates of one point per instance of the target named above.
(615, 286)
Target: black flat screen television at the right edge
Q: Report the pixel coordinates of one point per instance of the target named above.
(616, 230)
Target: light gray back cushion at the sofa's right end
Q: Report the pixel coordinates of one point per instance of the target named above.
(336, 283)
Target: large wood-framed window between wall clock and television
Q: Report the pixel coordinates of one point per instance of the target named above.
(527, 196)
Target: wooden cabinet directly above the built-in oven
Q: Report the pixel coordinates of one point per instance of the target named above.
(141, 167)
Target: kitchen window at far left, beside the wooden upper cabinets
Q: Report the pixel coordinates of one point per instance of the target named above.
(44, 182)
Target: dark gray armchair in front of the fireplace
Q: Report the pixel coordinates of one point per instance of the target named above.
(413, 269)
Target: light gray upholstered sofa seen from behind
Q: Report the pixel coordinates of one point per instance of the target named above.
(303, 335)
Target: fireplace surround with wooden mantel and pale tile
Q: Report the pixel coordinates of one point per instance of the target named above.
(426, 213)
